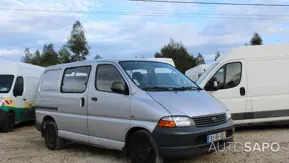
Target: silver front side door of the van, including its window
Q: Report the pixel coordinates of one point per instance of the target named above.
(109, 112)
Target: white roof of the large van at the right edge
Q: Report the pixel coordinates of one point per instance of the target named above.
(260, 51)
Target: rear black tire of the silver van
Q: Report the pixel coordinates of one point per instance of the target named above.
(52, 141)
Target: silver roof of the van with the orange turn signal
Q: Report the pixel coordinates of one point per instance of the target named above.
(105, 60)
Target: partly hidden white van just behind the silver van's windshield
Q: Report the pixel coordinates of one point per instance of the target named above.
(195, 73)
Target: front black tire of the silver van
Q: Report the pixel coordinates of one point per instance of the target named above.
(143, 148)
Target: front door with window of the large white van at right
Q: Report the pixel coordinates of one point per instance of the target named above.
(230, 88)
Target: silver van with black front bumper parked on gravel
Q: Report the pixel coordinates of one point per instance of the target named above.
(147, 109)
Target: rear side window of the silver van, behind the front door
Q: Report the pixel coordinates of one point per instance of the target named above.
(75, 79)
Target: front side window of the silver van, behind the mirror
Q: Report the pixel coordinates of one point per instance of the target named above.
(105, 76)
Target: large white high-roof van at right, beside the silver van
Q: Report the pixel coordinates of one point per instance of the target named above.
(253, 82)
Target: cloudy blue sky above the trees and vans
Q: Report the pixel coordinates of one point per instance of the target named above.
(122, 28)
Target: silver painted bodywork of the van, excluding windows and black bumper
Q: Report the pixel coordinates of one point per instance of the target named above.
(106, 122)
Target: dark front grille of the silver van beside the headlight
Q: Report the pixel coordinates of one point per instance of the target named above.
(209, 120)
